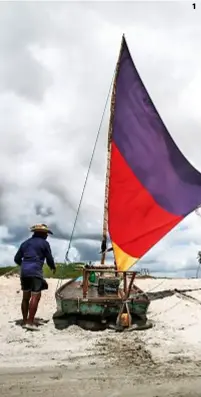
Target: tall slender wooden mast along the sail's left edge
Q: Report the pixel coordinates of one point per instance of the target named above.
(110, 130)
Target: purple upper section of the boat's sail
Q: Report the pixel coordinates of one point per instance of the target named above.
(147, 147)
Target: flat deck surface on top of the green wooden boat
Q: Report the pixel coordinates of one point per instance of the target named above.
(73, 290)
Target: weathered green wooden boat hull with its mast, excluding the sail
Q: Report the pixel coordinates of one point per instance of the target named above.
(102, 300)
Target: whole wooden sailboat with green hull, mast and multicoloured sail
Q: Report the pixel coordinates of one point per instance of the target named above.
(150, 188)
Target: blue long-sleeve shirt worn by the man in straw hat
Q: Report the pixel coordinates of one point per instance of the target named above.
(31, 256)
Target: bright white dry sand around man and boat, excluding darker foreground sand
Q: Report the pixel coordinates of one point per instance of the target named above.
(177, 331)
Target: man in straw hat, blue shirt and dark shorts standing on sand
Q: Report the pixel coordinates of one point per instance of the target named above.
(30, 257)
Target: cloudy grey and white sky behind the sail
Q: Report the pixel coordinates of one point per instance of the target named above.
(56, 66)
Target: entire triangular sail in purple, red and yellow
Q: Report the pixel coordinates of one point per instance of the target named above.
(152, 186)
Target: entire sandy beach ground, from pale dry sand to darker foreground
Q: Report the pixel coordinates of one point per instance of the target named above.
(162, 361)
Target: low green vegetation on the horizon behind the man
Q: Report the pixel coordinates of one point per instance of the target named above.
(63, 271)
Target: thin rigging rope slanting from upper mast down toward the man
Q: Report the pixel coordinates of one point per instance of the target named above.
(86, 179)
